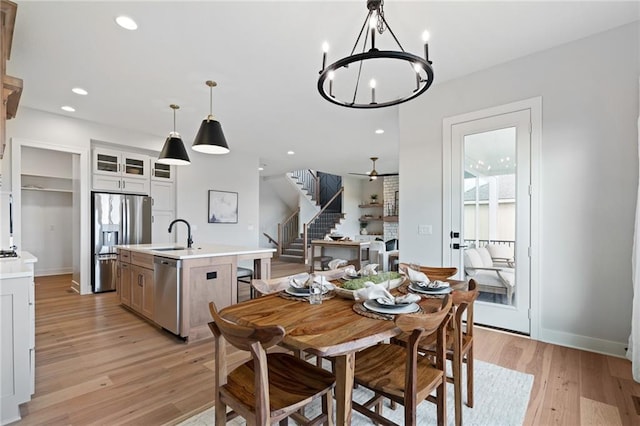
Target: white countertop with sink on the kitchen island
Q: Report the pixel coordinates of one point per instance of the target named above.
(198, 250)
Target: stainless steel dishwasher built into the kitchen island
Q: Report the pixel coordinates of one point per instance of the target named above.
(166, 276)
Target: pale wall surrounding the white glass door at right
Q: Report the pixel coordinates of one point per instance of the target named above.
(589, 170)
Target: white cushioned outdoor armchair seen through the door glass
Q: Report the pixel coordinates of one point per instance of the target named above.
(479, 265)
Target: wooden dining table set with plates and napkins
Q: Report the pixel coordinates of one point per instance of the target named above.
(331, 329)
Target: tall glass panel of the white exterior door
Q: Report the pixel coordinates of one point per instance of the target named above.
(489, 210)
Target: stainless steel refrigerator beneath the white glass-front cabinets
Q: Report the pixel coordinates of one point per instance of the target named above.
(116, 219)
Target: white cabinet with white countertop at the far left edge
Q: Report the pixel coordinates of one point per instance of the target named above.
(17, 332)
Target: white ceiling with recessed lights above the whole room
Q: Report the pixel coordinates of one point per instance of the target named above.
(265, 57)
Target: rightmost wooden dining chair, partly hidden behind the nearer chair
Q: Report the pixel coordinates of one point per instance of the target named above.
(459, 344)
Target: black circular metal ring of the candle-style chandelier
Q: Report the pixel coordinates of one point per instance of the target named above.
(377, 54)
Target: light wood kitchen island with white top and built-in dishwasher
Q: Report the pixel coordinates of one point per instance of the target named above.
(172, 285)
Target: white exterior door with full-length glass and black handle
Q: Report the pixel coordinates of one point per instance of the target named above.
(488, 185)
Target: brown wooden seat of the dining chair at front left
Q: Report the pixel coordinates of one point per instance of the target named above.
(286, 390)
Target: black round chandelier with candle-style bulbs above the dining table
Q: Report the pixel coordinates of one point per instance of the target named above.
(417, 73)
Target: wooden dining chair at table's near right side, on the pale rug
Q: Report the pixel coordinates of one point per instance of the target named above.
(401, 373)
